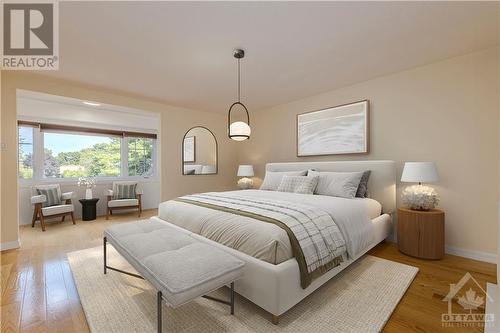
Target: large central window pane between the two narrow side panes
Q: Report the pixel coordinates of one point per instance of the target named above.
(68, 155)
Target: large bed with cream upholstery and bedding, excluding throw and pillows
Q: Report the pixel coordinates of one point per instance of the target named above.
(274, 278)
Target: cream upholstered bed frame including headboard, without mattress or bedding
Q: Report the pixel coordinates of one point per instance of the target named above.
(276, 288)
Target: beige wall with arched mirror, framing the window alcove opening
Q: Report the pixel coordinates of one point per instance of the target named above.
(174, 123)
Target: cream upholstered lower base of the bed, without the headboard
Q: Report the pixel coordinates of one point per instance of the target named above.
(276, 288)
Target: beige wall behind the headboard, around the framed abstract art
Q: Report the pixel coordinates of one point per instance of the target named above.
(445, 112)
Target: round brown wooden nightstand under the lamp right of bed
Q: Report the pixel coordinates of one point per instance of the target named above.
(421, 233)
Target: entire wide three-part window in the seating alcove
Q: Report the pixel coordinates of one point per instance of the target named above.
(63, 152)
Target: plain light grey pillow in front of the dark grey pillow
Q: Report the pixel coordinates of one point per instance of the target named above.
(337, 184)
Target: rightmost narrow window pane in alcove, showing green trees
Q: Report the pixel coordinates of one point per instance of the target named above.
(140, 156)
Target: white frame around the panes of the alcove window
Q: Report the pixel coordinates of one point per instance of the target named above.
(38, 160)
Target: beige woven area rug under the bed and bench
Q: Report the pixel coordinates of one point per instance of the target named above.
(359, 299)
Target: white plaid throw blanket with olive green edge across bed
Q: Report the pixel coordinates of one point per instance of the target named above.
(317, 242)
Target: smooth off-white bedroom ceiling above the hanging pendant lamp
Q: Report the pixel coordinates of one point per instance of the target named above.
(181, 53)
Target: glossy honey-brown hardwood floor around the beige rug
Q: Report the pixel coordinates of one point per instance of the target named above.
(38, 293)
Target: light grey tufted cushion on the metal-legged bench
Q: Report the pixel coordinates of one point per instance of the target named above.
(175, 263)
